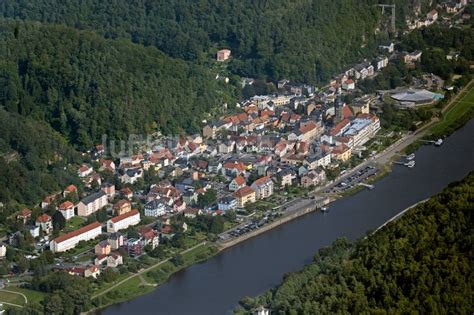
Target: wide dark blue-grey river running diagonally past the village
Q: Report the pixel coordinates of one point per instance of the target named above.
(251, 267)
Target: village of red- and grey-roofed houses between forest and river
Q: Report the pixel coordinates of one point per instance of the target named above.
(171, 188)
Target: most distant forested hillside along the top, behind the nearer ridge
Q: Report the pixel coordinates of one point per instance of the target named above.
(304, 40)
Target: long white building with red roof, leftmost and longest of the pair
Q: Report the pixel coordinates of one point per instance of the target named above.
(70, 240)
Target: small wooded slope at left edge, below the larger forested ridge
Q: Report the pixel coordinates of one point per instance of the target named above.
(34, 161)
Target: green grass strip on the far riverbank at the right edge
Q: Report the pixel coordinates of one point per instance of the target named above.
(454, 117)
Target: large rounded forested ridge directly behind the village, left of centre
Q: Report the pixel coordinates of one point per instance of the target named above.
(85, 86)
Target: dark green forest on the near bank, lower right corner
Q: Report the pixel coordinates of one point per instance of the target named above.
(419, 264)
